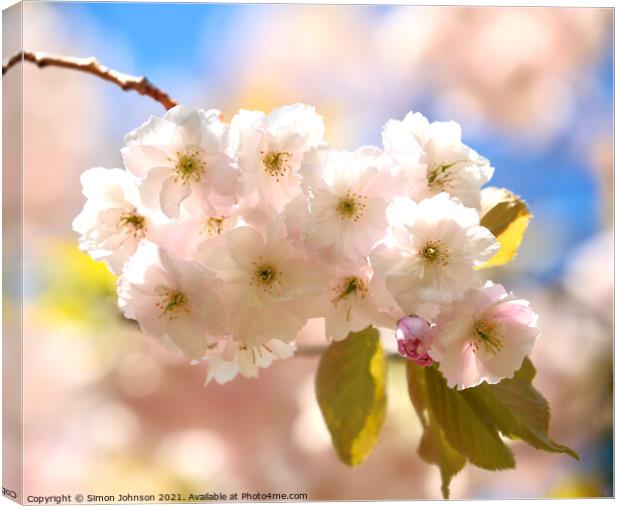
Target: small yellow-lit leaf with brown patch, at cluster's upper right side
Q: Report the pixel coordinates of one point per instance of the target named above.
(507, 217)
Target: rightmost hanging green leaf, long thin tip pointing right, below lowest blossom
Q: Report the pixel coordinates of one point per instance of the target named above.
(518, 410)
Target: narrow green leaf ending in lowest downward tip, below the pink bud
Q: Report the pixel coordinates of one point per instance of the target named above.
(434, 447)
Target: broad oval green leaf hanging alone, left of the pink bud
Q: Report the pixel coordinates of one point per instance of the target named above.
(350, 389)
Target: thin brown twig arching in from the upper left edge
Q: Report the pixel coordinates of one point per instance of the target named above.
(91, 66)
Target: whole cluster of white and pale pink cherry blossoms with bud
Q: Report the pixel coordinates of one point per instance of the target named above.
(228, 238)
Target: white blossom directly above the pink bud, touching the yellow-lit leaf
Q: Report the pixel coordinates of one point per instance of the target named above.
(432, 250)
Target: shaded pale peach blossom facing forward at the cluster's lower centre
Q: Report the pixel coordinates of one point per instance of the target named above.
(268, 284)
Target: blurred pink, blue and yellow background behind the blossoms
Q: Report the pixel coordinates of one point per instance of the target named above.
(107, 410)
